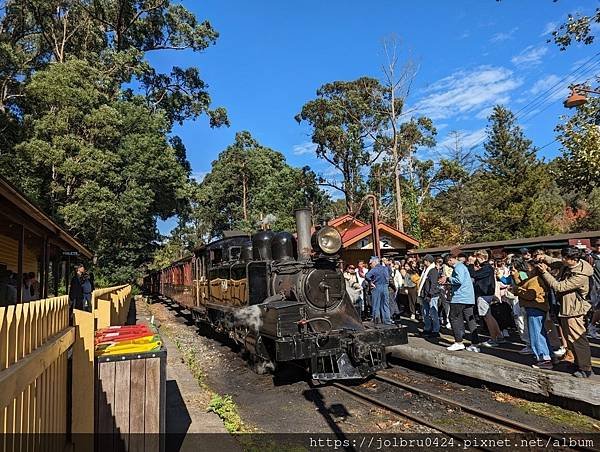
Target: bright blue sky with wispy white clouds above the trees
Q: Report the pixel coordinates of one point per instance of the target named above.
(272, 56)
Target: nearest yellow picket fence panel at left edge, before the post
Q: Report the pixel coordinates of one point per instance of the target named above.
(34, 340)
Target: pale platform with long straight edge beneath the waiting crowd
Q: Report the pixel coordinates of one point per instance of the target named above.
(503, 366)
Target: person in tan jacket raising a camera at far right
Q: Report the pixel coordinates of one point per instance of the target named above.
(572, 288)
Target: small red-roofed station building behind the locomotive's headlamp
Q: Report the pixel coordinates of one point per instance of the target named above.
(357, 239)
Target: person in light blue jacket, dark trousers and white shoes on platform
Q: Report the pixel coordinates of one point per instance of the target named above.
(462, 303)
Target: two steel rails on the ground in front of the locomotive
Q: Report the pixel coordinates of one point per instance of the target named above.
(502, 423)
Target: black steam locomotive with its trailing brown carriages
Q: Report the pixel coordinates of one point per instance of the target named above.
(281, 302)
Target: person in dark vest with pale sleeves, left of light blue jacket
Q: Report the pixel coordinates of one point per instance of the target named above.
(429, 292)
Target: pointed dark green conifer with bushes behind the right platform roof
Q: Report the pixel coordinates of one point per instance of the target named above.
(511, 195)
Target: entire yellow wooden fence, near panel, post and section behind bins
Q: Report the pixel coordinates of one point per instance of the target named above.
(35, 340)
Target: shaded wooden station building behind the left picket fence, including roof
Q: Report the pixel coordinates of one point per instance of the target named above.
(31, 242)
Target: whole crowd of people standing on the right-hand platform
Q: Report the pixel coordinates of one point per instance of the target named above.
(551, 301)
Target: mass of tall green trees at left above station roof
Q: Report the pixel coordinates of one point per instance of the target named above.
(94, 153)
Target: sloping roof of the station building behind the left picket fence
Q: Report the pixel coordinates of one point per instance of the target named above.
(27, 213)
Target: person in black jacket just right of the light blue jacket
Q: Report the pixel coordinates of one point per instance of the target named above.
(484, 283)
